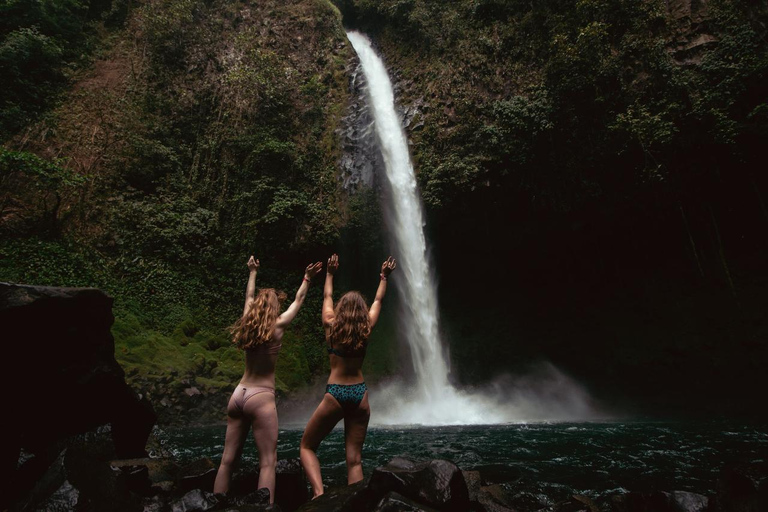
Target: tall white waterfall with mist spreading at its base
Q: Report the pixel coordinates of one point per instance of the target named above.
(432, 400)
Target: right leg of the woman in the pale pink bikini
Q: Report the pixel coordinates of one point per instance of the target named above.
(261, 408)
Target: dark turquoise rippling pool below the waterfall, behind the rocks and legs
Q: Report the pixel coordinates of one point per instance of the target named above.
(548, 460)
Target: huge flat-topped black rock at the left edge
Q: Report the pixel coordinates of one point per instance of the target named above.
(60, 364)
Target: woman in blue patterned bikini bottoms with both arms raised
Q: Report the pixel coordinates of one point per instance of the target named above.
(347, 327)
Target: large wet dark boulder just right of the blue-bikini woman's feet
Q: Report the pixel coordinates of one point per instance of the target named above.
(437, 483)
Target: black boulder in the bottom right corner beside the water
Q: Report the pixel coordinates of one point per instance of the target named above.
(743, 487)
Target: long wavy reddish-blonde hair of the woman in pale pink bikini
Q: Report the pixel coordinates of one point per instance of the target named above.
(257, 325)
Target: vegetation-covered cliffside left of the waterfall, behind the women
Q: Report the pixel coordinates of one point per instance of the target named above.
(218, 142)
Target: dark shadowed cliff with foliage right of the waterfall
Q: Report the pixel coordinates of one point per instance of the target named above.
(594, 183)
